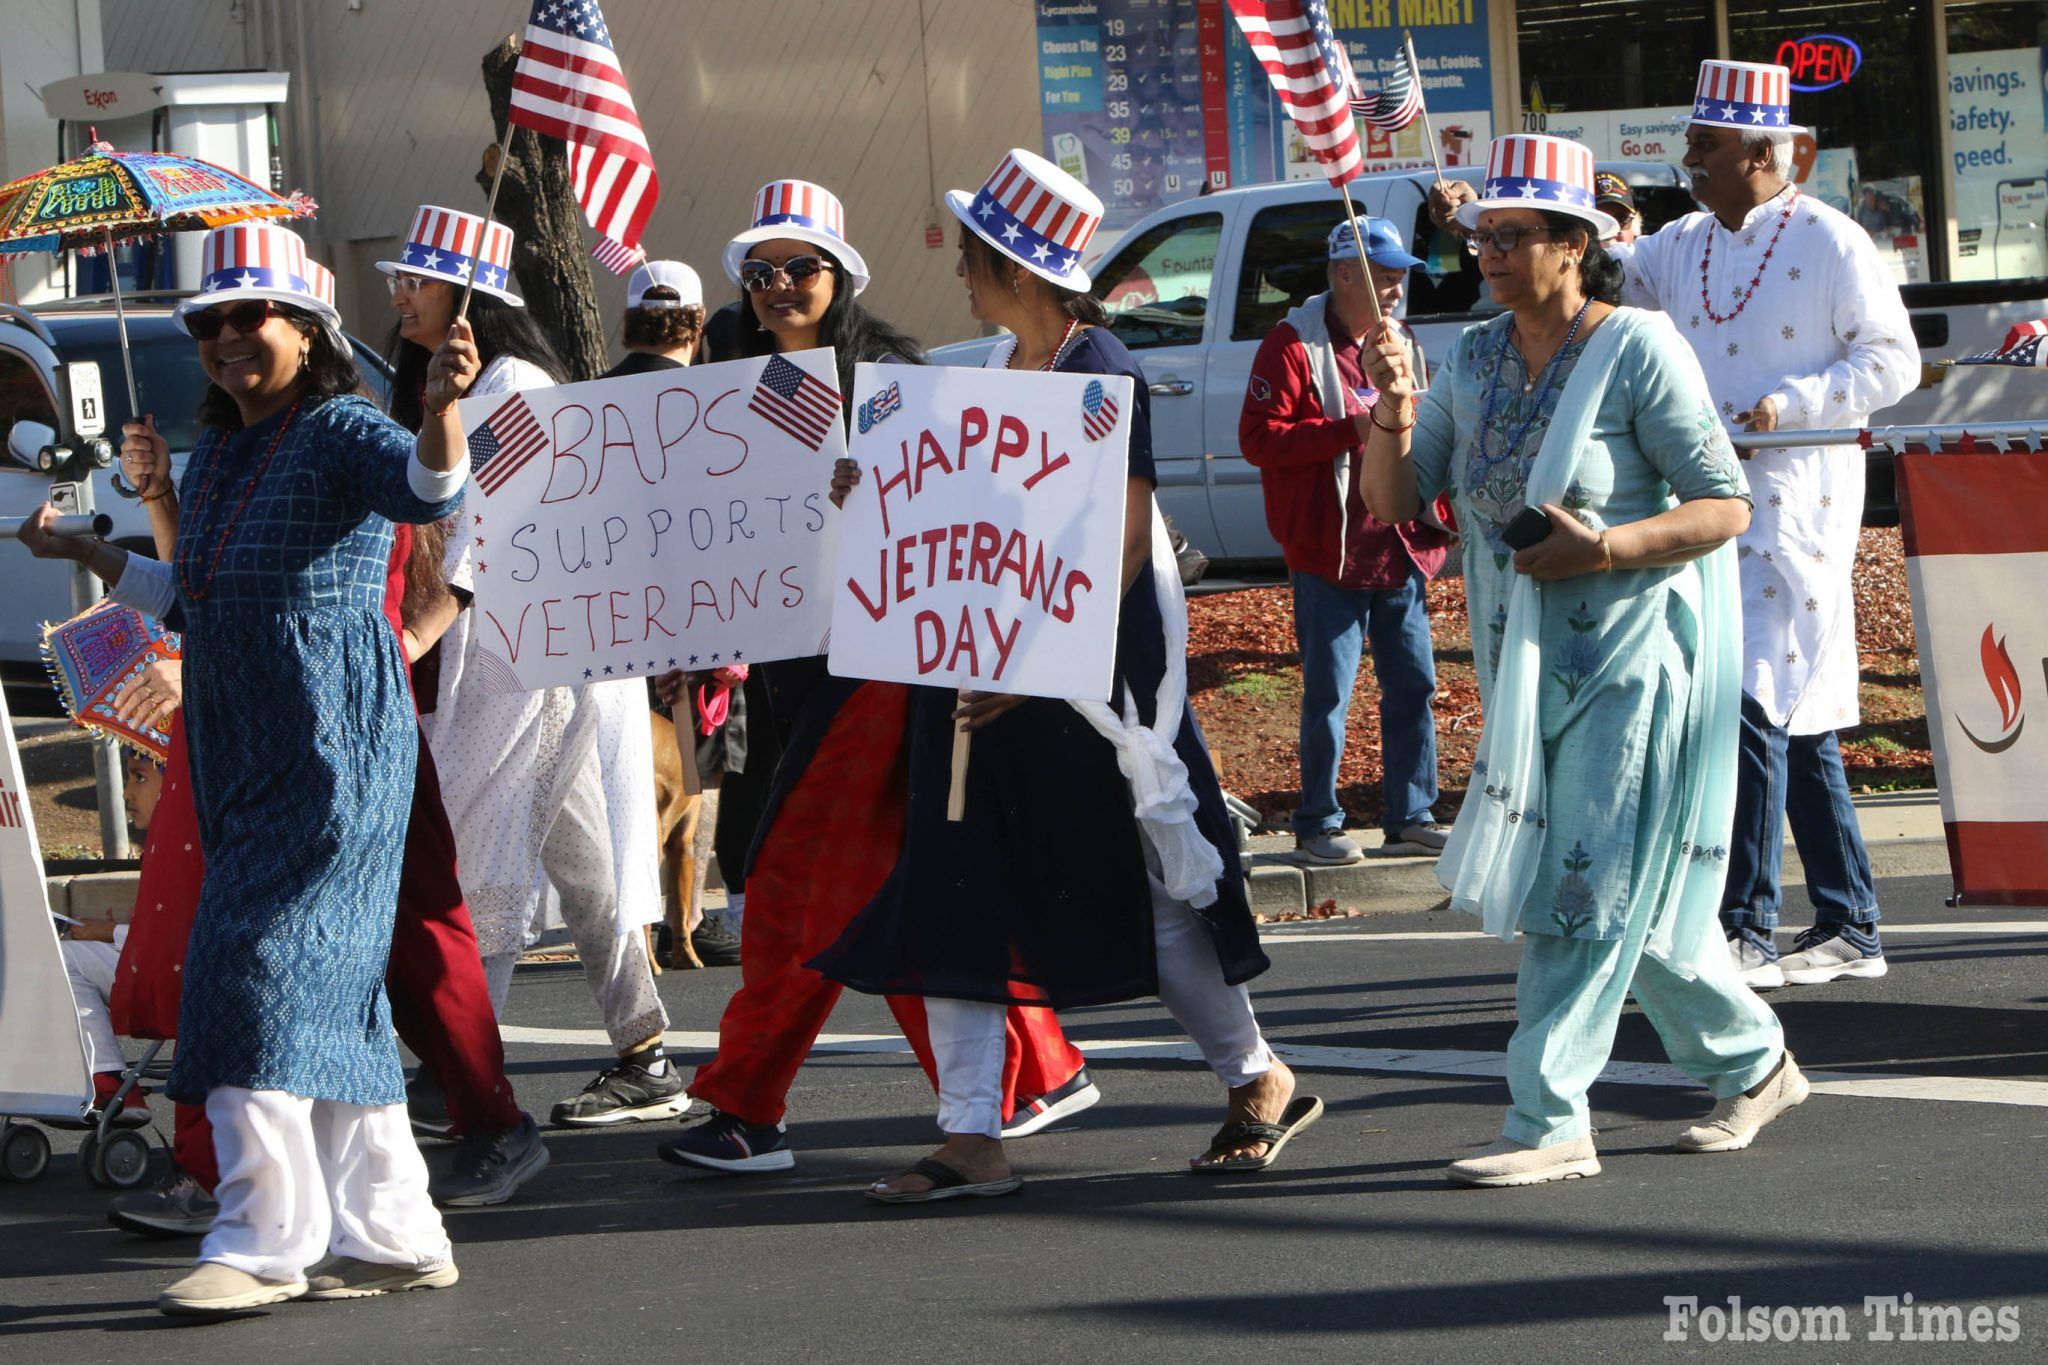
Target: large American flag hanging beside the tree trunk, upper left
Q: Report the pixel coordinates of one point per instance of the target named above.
(568, 85)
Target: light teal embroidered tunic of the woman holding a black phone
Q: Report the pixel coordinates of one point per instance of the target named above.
(1617, 648)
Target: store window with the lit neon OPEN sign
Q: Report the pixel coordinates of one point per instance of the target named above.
(1869, 91)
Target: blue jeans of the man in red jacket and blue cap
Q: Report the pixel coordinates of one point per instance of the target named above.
(1332, 625)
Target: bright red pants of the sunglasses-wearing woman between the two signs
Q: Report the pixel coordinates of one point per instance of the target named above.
(828, 854)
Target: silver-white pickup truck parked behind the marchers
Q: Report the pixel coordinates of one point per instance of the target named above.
(1195, 288)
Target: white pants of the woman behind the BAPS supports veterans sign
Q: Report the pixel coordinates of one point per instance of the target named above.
(579, 863)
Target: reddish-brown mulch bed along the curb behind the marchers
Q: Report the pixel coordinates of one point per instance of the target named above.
(1244, 676)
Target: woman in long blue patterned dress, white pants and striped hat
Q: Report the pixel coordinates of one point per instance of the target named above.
(302, 742)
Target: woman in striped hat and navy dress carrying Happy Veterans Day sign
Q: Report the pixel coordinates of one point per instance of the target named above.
(1138, 901)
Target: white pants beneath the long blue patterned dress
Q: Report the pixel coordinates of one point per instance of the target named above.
(308, 1178)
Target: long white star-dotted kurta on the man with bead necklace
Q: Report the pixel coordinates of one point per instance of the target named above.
(1828, 337)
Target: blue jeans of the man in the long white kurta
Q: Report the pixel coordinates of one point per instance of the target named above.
(1797, 779)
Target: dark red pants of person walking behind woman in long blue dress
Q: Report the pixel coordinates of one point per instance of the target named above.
(439, 1002)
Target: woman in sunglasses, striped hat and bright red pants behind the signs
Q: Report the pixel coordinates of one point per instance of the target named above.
(830, 828)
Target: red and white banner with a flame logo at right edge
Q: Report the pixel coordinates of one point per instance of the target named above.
(1977, 560)
